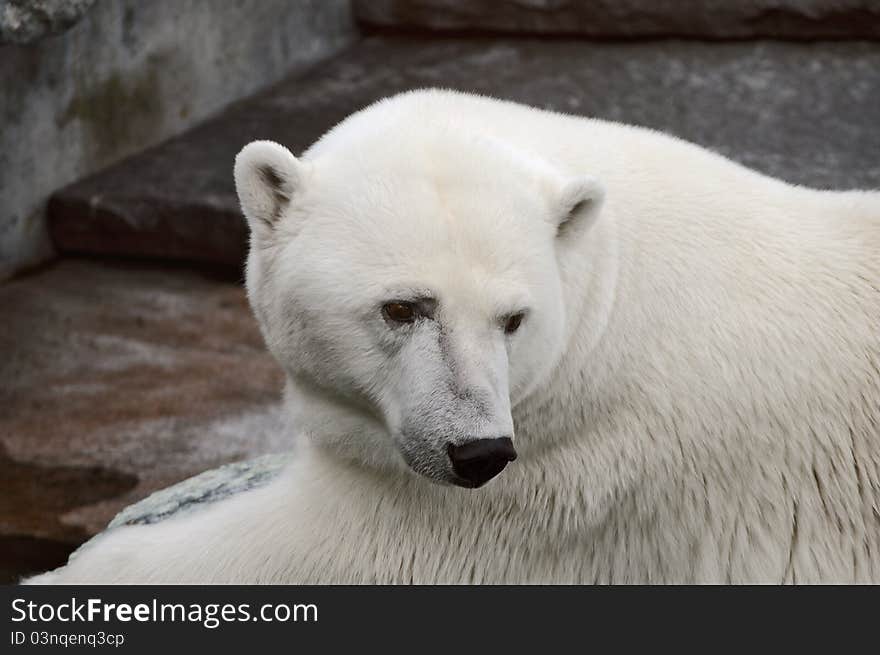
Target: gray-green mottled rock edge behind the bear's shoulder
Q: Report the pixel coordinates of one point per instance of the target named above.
(203, 489)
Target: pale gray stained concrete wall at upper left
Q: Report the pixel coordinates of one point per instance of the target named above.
(126, 76)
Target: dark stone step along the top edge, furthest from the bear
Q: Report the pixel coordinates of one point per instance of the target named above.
(721, 19)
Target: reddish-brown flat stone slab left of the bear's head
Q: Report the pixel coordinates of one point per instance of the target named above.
(117, 380)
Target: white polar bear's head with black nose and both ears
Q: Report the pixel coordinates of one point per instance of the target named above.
(410, 288)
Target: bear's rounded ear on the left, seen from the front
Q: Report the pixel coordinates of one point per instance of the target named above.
(267, 176)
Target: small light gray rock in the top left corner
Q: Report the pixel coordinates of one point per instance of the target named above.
(24, 21)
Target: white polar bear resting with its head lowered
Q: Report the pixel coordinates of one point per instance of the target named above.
(526, 347)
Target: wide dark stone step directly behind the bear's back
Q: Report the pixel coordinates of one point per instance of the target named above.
(804, 112)
